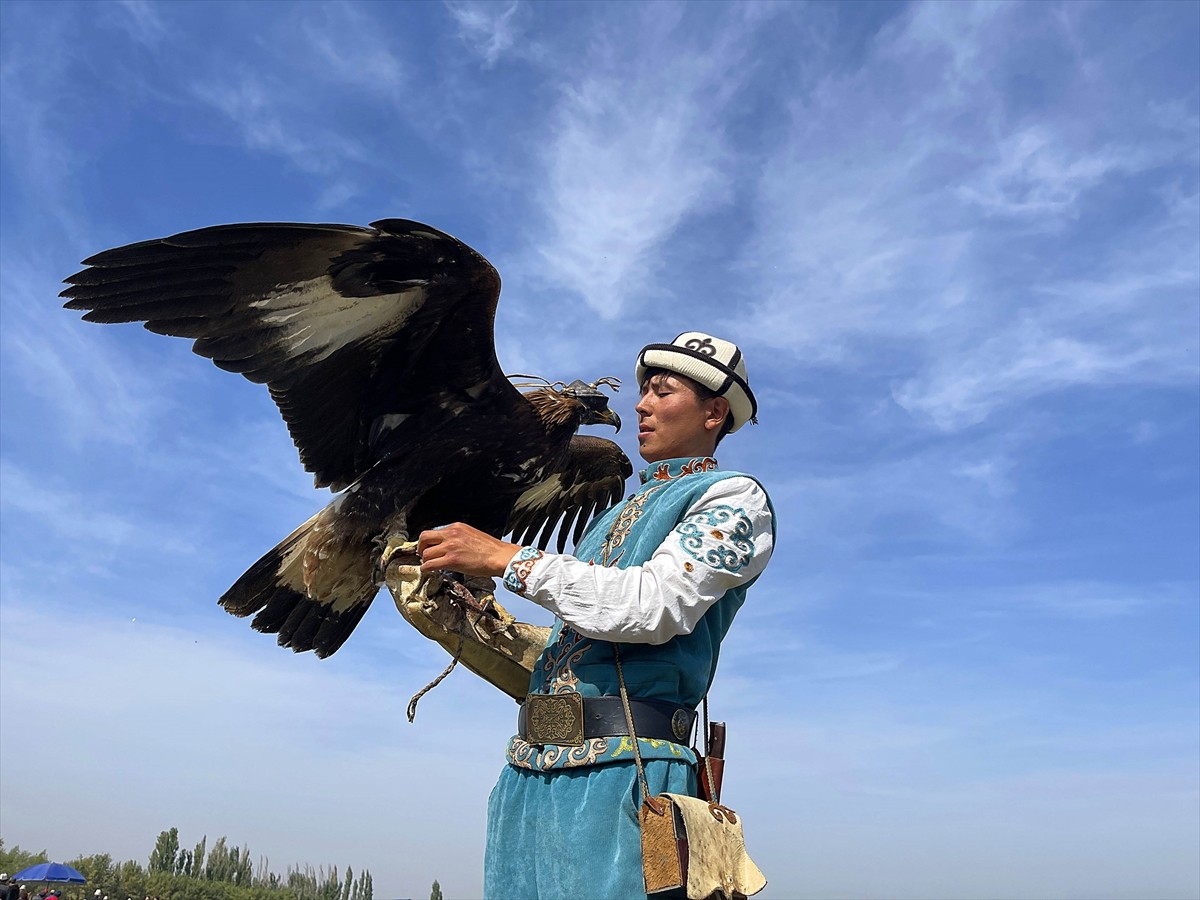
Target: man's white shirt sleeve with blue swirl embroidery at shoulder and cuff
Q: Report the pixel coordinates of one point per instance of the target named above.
(725, 541)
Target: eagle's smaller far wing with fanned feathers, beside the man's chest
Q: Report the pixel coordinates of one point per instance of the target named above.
(592, 479)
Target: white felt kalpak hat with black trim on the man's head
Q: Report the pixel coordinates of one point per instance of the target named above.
(707, 361)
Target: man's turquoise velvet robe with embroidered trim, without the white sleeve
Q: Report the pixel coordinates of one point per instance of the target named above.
(563, 821)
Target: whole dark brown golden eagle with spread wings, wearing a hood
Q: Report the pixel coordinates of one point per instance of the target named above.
(377, 346)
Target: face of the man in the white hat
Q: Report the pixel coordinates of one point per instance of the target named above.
(674, 422)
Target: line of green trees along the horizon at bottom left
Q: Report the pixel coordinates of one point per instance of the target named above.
(221, 873)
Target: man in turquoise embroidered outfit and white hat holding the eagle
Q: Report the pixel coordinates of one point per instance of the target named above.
(663, 577)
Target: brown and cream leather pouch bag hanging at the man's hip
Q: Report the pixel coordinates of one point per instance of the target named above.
(697, 845)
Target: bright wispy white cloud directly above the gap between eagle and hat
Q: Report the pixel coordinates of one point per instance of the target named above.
(635, 147)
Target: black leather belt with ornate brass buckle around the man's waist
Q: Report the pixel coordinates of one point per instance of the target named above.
(569, 719)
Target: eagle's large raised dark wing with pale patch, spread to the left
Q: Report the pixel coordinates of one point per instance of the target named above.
(355, 331)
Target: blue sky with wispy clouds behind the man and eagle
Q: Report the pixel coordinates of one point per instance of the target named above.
(961, 245)
